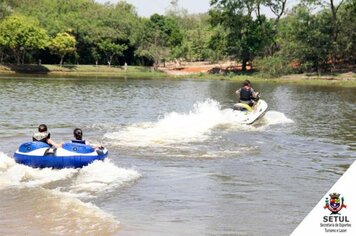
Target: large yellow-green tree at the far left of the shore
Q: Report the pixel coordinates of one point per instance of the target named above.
(21, 34)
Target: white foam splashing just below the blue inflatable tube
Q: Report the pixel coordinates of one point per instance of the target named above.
(87, 182)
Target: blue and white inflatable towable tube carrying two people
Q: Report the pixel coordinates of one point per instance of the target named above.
(70, 155)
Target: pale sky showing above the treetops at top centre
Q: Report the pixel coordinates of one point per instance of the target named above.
(149, 7)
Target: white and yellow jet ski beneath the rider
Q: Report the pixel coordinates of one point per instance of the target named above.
(250, 114)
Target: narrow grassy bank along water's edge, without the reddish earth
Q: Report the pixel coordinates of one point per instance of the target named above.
(345, 79)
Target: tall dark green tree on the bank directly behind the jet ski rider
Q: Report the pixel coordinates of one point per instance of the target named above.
(247, 36)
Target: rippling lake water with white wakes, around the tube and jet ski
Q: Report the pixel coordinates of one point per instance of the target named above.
(179, 163)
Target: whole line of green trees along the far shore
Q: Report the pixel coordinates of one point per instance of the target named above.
(312, 36)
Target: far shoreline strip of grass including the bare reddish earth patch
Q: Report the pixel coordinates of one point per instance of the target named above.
(192, 70)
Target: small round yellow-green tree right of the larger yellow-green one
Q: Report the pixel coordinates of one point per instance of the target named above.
(62, 45)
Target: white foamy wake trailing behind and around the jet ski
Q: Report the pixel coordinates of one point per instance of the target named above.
(194, 126)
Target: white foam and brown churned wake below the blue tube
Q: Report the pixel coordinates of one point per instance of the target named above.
(58, 196)
